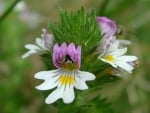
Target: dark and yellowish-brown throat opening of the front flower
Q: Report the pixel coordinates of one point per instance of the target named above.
(69, 64)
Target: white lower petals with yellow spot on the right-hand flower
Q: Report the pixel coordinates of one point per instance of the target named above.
(115, 57)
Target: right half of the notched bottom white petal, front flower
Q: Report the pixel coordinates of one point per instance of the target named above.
(68, 95)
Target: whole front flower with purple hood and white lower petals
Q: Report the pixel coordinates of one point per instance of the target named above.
(67, 76)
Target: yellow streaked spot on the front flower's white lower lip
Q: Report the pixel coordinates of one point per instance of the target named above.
(66, 79)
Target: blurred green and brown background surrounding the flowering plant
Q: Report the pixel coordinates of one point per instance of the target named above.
(24, 22)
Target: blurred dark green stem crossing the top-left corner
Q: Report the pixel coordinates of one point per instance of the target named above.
(5, 14)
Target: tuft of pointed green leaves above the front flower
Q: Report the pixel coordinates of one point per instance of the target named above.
(79, 27)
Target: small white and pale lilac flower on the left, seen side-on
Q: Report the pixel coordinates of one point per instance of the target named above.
(42, 45)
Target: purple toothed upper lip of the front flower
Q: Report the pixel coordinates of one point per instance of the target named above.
(65, 55)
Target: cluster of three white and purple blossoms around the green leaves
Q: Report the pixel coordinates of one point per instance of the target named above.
(66, 58)
